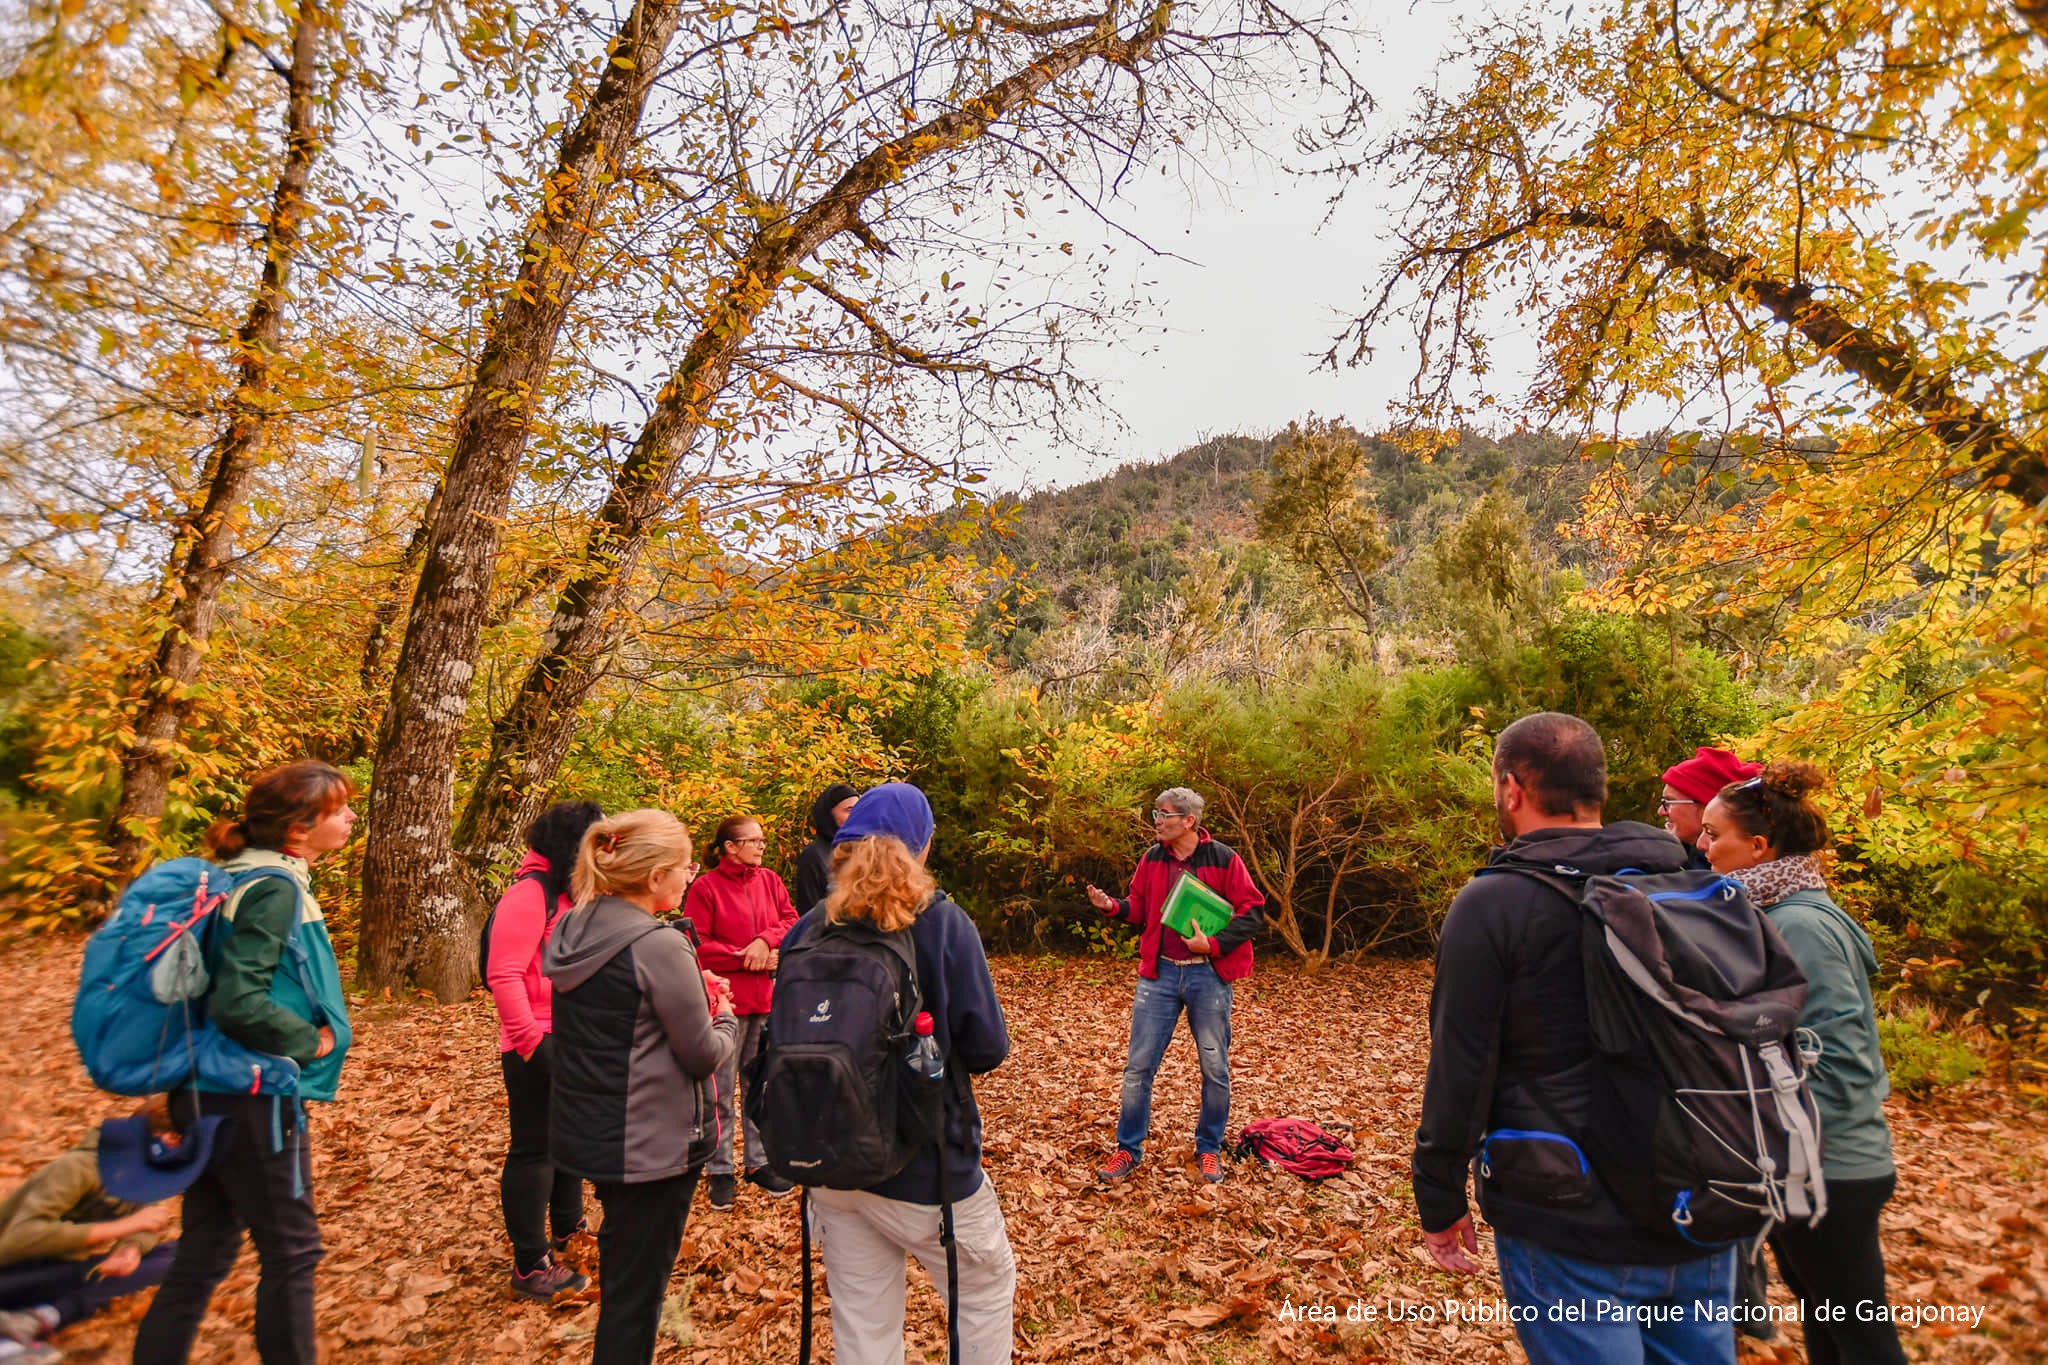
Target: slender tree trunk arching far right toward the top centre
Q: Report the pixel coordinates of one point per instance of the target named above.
(536, 732)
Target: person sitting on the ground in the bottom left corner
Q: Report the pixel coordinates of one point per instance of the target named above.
(87, 1229)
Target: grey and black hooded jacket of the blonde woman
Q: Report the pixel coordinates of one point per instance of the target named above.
(636, 1047)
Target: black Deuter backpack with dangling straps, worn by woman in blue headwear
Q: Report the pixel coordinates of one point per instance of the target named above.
(833, 1092)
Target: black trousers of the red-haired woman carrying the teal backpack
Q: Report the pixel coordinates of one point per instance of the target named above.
(261, 1180)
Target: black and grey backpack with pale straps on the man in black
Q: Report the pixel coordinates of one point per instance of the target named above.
(1701, 1118)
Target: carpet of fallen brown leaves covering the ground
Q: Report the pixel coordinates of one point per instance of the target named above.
(1162, 1268)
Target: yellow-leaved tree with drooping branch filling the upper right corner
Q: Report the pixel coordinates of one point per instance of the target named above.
(1707, 208)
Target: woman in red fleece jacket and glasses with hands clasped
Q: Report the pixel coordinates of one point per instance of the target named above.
(740, 912)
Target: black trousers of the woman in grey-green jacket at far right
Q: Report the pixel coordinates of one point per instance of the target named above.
(1840, 1264)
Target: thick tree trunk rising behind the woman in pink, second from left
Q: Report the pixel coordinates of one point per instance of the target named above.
(417, 899)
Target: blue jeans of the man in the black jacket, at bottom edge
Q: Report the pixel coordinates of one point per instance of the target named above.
(1586, 1313)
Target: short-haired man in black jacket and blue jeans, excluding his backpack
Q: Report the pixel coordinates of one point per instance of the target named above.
(1512, 1082)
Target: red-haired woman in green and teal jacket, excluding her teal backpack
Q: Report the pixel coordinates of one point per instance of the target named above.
(278, 989)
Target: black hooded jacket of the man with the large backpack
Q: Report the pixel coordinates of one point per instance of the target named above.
(1512, 1049)
